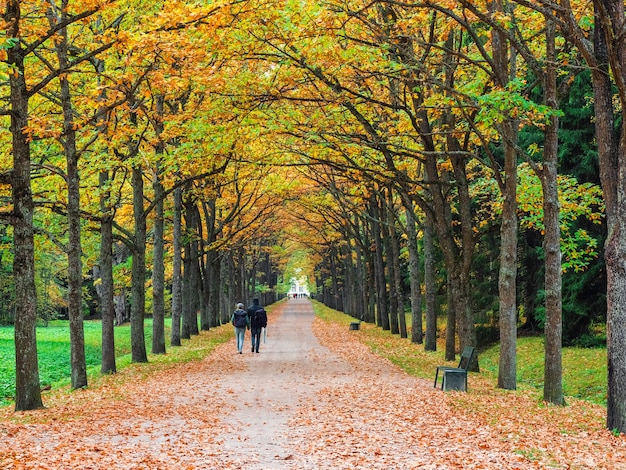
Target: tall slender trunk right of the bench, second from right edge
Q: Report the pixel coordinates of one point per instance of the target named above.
(553, 369)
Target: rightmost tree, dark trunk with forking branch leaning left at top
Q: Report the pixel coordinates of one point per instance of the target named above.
(603, 48)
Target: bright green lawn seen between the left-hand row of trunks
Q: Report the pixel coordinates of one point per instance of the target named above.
(53, 351)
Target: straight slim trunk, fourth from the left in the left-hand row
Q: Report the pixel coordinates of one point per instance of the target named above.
(138, 268)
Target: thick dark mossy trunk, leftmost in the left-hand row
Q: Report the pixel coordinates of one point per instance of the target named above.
(27, 388)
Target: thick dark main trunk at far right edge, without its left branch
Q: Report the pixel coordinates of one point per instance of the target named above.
(610, 44)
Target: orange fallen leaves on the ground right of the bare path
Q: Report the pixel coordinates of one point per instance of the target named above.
(398, 419)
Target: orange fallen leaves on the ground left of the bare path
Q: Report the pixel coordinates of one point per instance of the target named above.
(164, 421)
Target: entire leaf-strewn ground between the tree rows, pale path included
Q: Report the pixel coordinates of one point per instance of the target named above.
(314, 397)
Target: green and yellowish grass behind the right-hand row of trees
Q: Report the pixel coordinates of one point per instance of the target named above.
(584, 369)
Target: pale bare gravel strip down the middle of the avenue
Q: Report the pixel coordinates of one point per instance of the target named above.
(290, 368)
